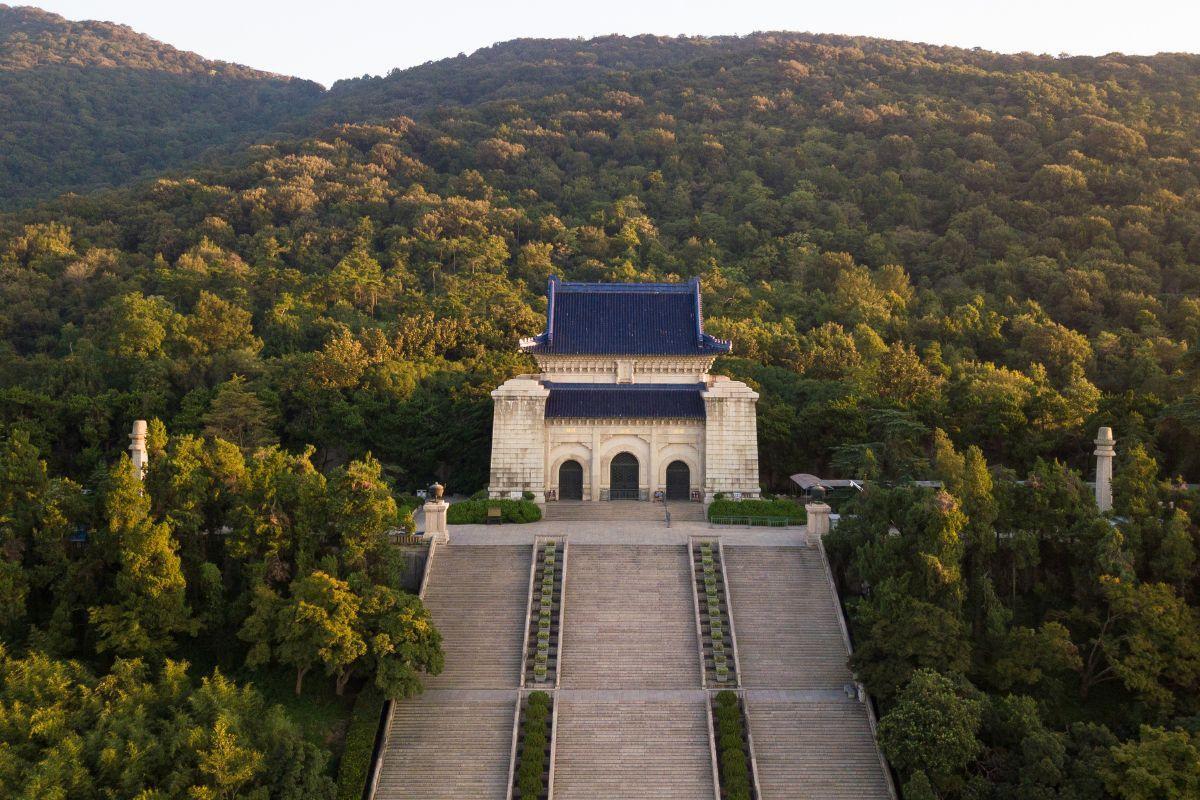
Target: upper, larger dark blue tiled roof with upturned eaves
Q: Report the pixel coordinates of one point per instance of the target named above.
(625, 320)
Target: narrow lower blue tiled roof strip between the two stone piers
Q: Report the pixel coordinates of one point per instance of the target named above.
(626, 401)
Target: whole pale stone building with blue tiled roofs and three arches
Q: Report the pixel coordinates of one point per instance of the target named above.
(625, 406)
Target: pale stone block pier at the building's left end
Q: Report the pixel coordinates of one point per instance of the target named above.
(519, 438)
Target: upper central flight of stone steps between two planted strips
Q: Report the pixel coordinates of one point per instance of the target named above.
(629, 618)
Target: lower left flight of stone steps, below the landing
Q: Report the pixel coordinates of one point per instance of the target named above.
(447, 750)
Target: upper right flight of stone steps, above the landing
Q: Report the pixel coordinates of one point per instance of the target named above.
(789, 636)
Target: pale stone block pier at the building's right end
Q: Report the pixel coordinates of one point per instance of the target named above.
(731, 440)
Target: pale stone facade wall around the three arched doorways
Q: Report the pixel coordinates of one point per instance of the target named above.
(655, 443)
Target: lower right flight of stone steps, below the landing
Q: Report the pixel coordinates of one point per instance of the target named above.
(815, 750)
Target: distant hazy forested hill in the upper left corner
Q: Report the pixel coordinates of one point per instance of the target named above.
(87, 105)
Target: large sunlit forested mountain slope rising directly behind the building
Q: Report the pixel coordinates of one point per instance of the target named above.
(897, 238)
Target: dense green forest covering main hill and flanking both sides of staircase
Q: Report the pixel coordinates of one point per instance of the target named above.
(934, 263)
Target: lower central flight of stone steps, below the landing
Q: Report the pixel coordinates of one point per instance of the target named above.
(633, 750)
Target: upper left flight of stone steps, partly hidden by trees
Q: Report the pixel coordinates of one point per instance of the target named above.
(478, 597)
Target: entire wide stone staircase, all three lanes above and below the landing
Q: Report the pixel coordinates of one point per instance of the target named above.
(631, 711)
